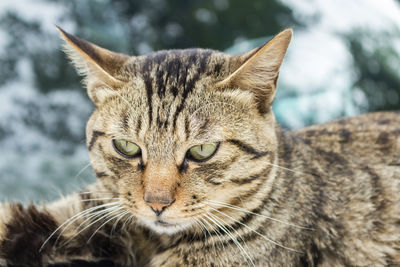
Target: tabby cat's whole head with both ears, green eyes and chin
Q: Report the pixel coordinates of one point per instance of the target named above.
(177, 133)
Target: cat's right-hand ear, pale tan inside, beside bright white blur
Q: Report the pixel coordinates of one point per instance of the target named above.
(257, 70)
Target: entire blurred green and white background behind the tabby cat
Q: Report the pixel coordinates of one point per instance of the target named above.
(344, 60)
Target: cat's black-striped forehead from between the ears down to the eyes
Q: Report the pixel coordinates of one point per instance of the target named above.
(174, 98)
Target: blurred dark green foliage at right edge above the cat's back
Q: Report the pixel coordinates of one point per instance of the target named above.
(376, 67)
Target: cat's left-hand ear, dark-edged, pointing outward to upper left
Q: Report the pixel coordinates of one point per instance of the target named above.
(100, 67)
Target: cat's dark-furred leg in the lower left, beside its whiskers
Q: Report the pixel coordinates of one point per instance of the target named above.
(76, 227)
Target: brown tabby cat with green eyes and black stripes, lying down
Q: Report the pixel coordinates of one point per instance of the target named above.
(193, 170)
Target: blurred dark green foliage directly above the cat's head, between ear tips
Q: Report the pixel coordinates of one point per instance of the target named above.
(177, 23)
